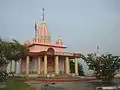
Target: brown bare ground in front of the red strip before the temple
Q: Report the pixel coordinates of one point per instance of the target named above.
(91, 85)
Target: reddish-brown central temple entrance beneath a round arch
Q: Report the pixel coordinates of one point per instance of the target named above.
(50, 61)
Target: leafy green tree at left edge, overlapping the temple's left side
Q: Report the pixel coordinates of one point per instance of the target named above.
(10, 50)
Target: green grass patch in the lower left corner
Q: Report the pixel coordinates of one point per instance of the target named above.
(16, 85)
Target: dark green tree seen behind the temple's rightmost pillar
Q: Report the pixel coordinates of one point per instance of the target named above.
(80, 68)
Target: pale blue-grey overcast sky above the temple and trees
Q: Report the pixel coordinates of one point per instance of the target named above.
(83, 24)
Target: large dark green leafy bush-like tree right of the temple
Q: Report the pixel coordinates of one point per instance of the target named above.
(104, 66)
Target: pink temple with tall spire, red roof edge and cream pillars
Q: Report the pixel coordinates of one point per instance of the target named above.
(45, 58)
